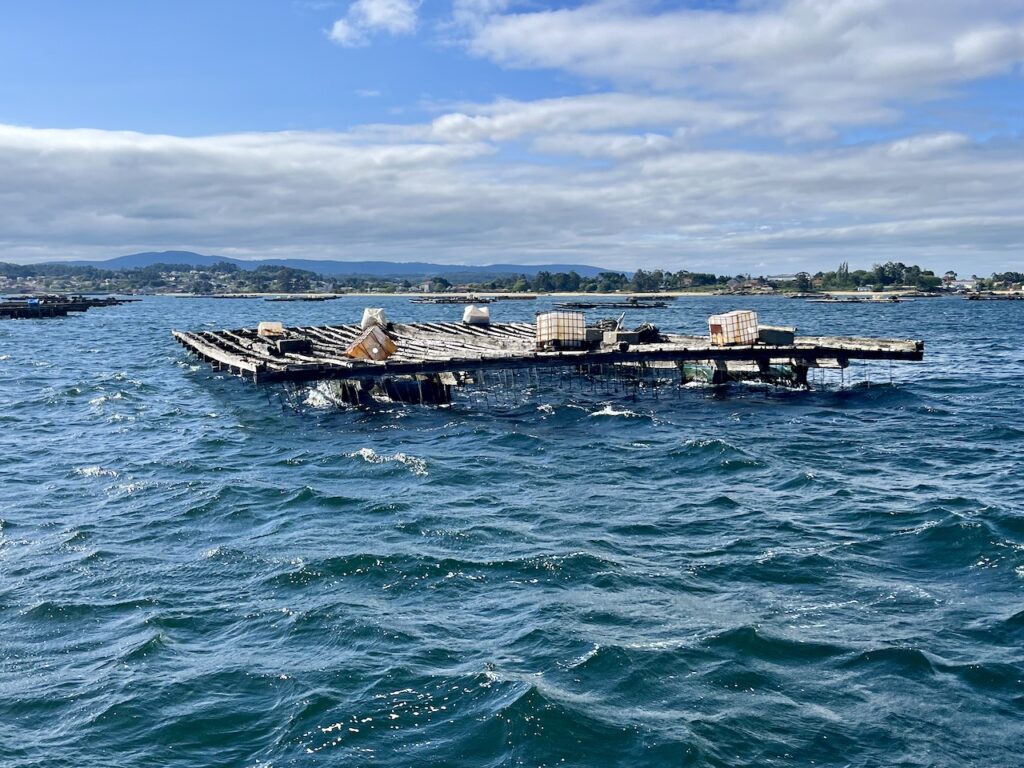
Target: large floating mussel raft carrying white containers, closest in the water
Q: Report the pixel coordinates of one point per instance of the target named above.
(423, 362)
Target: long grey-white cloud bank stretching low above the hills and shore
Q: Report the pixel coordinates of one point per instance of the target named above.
(653, 201)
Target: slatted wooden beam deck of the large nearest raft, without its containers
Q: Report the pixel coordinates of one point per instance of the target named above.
(439, 349)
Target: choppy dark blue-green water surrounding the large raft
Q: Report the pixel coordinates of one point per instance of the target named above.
(196, 572)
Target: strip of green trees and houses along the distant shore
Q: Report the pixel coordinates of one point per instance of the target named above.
(226, 277)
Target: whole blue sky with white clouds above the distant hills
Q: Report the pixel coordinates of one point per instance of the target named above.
(750, 137)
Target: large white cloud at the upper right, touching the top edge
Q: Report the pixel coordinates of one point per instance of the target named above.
(812, 64)
